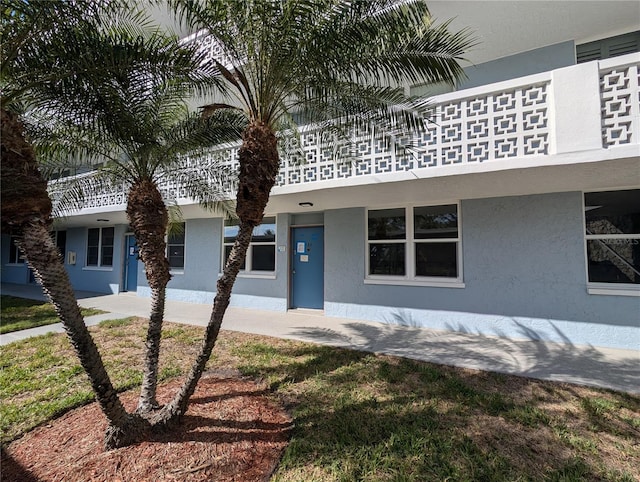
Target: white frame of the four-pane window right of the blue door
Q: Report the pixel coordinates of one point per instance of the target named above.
(410, 279)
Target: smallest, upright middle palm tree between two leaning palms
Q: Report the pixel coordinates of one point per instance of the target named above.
(144, 139)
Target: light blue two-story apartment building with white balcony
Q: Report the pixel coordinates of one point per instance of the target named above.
(518, 215)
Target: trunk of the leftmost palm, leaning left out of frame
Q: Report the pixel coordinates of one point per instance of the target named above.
(27, 212)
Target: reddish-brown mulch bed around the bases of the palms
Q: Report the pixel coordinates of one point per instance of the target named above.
(232, 431)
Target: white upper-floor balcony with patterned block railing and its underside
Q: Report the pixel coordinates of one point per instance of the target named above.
(572, 128)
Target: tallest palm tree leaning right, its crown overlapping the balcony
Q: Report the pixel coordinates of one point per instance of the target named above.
(335, 62)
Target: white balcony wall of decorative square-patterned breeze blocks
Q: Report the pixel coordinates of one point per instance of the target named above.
(583, 113)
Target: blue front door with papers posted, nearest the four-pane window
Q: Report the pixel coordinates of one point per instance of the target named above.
(307, 276)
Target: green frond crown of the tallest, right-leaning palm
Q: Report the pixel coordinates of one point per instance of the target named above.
(282, 56)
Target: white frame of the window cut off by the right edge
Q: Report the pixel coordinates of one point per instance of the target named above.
(602, 287)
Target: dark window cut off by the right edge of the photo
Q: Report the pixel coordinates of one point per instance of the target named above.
(612, 222)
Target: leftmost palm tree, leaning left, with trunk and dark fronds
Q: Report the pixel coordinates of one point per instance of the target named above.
(53, 54)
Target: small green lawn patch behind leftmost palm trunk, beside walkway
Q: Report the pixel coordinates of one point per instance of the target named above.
(20, 314)
